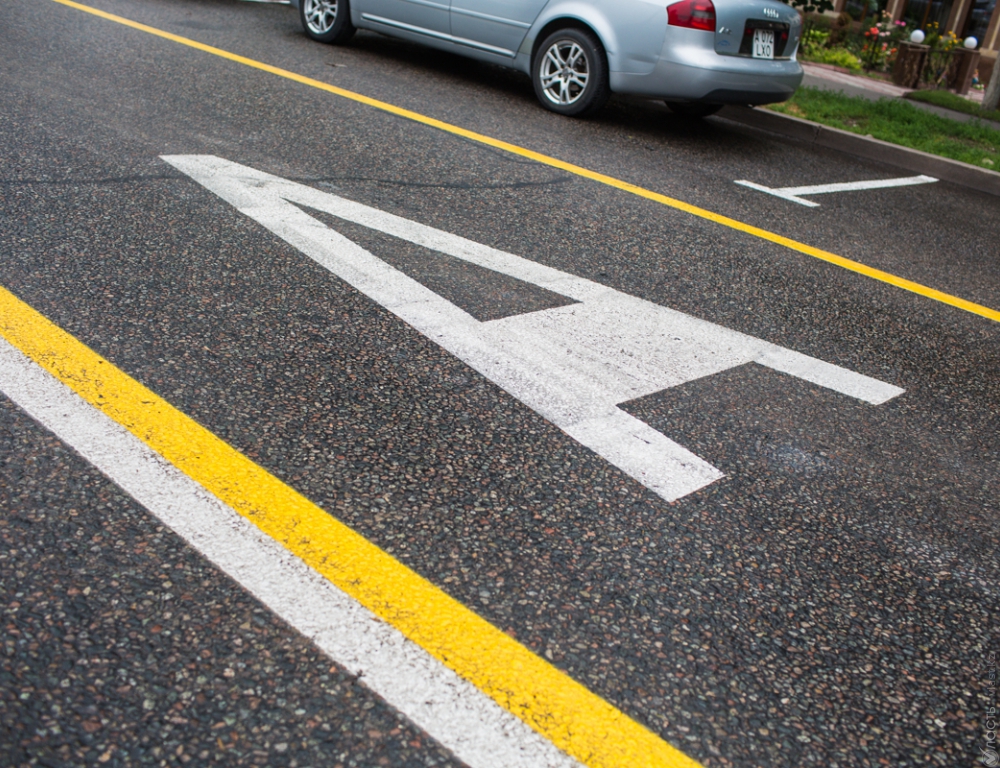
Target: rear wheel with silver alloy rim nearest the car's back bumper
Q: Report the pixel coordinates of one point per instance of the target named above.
(570, 73)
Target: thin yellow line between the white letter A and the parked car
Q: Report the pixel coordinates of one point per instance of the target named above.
(808, 250)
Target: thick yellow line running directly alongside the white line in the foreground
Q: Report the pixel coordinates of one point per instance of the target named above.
(570, 716)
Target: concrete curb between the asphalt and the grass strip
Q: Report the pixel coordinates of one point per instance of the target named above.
(963, 174)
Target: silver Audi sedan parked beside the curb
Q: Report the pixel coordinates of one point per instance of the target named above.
(696, 55)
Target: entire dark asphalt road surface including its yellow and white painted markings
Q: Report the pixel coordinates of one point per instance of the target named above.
(745, 499)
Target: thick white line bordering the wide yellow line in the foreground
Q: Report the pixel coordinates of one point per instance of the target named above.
(452, 711)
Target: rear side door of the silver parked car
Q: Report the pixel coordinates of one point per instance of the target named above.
(498, 26)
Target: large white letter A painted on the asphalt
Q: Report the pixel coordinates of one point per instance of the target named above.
(572, 364)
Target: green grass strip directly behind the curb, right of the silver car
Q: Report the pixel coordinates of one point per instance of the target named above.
(898, 122)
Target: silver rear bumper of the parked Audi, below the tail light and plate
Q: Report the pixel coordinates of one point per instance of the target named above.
(689, 69)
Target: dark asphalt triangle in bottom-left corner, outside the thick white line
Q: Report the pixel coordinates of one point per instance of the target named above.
(121, 646)
